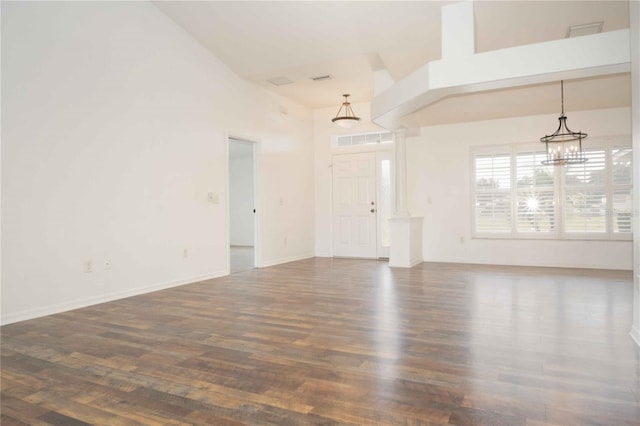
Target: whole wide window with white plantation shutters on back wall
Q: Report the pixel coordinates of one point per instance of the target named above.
(516, 196)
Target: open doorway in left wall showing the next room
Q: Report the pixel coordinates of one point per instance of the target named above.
(242, 214)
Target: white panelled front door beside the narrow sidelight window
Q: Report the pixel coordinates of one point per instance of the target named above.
(354, 205)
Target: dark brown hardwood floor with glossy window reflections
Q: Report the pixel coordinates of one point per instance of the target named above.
(336, 341)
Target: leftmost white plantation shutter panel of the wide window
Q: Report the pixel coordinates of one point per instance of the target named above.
(493, 193)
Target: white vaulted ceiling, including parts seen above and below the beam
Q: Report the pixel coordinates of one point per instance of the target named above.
(299, 40)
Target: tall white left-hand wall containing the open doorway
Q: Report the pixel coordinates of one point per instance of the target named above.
(114, 124)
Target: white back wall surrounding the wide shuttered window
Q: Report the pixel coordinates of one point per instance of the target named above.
(439, 185)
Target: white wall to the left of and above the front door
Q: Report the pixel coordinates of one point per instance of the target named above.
(323, 130)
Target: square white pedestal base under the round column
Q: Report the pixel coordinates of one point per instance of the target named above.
(406, 242)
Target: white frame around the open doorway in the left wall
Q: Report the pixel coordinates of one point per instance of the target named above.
(257, 228)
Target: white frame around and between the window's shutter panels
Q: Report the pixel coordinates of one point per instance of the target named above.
(609, 144)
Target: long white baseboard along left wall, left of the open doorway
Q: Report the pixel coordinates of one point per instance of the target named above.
(103, 298)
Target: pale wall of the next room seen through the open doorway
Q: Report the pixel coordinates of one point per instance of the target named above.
(241, 201)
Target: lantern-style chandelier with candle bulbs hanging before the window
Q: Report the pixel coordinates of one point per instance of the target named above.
(564, 147)
